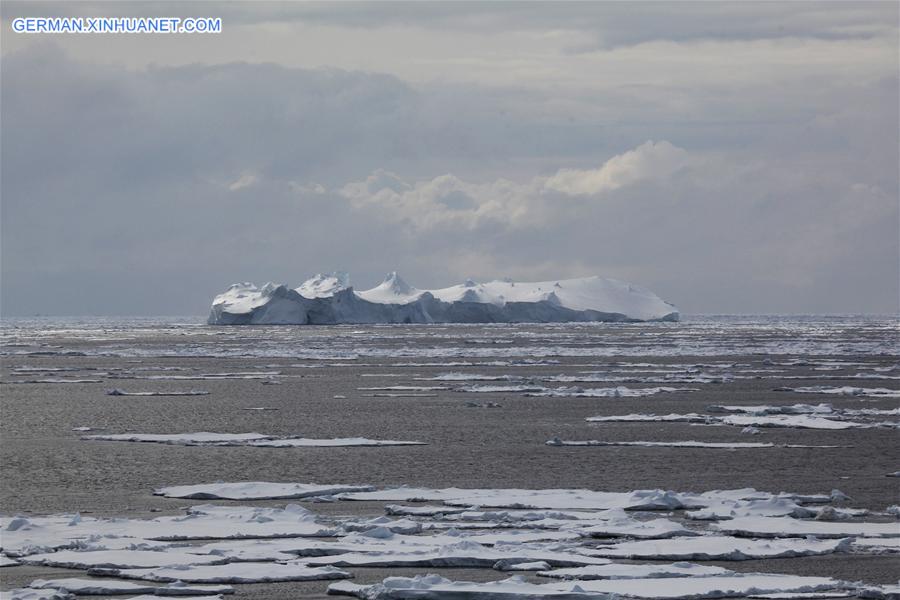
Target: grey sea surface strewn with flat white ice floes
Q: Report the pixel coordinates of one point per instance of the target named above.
(56, 374)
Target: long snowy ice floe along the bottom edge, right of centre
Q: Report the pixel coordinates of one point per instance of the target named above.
(426, 587)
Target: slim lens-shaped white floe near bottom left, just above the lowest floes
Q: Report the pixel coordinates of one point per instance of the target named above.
(238, 572)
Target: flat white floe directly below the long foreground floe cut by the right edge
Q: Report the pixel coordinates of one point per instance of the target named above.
(711, 547)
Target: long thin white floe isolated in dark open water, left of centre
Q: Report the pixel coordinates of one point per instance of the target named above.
(257, 440)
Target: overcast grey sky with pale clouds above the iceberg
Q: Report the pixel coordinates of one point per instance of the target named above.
(732, 157)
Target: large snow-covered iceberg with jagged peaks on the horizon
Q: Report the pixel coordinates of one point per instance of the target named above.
(329, 299)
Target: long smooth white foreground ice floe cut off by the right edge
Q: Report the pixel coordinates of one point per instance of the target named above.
(788, 527)
